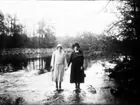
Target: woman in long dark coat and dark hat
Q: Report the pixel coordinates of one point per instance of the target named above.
(77, 70)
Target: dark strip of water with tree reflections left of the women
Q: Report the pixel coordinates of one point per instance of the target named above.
(27, 62)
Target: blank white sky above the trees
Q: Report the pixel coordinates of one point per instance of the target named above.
(68, 17)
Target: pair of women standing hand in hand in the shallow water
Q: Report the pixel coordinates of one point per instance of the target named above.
(59, 64)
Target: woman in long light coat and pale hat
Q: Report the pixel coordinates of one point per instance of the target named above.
(58, 64)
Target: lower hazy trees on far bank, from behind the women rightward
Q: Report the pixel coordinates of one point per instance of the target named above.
(93, 42)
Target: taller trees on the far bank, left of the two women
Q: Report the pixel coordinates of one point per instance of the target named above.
(13, 35)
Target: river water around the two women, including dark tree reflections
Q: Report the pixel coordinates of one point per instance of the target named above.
(39, 89)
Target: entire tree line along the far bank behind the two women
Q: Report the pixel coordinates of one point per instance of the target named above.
(13, 35)
